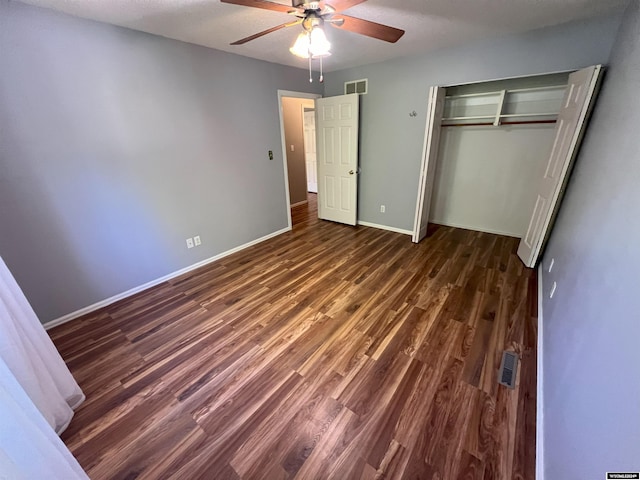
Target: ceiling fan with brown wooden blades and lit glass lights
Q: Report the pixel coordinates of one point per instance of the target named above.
(312, 16)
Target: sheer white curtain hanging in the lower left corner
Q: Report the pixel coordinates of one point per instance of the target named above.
(37, 393)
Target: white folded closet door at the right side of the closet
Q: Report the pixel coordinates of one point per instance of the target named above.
(576, 107)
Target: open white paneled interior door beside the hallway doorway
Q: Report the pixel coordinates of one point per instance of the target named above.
(337, 151)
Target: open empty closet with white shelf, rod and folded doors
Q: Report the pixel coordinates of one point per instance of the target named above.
(488, 147)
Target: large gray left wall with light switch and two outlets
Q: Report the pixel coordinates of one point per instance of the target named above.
(115, 146)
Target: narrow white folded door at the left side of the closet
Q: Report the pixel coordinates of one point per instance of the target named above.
(429, 160)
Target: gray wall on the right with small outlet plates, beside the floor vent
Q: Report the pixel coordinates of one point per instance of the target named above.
(592, 324)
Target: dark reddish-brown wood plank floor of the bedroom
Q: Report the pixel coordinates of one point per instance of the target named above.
(326, 352)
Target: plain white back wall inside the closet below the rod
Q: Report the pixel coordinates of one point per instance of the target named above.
(484, 177)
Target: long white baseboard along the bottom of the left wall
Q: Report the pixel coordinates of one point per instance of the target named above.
(108, 301)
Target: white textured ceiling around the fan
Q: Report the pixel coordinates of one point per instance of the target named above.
(429, 24)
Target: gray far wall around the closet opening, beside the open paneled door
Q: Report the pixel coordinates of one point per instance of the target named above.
(391, 141)
